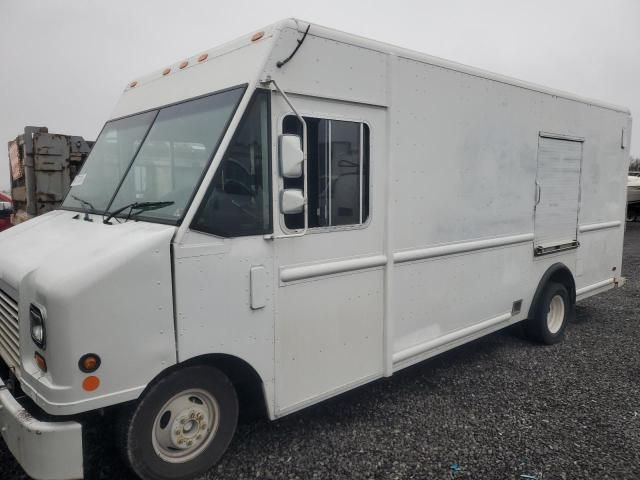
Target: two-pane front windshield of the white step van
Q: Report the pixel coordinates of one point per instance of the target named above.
(156, 156)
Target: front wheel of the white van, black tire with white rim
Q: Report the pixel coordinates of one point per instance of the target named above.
(181, 426)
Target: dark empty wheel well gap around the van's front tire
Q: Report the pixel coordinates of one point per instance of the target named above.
(245, 379)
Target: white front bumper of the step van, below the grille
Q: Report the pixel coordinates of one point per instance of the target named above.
(45, 450)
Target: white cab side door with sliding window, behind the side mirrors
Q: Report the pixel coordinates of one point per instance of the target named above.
(329, 314)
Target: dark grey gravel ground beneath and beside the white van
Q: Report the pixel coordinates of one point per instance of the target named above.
(498, 408)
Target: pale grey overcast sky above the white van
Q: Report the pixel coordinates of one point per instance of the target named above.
(64, 63)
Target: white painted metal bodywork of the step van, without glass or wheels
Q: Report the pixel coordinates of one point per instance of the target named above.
(446, 250)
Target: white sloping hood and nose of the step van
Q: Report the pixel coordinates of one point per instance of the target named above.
(106, 289)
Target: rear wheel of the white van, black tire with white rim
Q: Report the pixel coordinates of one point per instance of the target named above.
(551, 315)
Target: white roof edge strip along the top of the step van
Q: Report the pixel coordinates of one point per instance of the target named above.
(354, 40)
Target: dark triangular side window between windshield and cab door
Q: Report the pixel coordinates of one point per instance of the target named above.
(238, 201)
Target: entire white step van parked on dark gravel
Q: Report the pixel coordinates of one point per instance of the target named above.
(287, 217)
